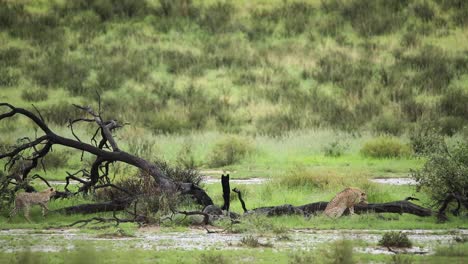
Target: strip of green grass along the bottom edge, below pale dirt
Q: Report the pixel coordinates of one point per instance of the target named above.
(327, 253)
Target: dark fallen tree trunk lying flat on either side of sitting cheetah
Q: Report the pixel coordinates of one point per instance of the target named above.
(399, 207)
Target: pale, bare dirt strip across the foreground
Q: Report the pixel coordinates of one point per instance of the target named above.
(53, 240)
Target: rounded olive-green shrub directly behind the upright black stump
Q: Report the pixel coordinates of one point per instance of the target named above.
(230, 150)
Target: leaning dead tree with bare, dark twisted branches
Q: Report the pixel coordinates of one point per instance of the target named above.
(106, 152)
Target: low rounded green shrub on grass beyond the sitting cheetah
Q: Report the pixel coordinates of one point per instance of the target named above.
(385, 147)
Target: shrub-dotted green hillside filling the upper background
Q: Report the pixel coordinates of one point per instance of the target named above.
(255, 67)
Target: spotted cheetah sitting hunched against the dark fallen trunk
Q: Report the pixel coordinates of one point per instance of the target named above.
(347, 198)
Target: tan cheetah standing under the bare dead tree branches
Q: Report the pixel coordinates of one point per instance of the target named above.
(25, 200)
